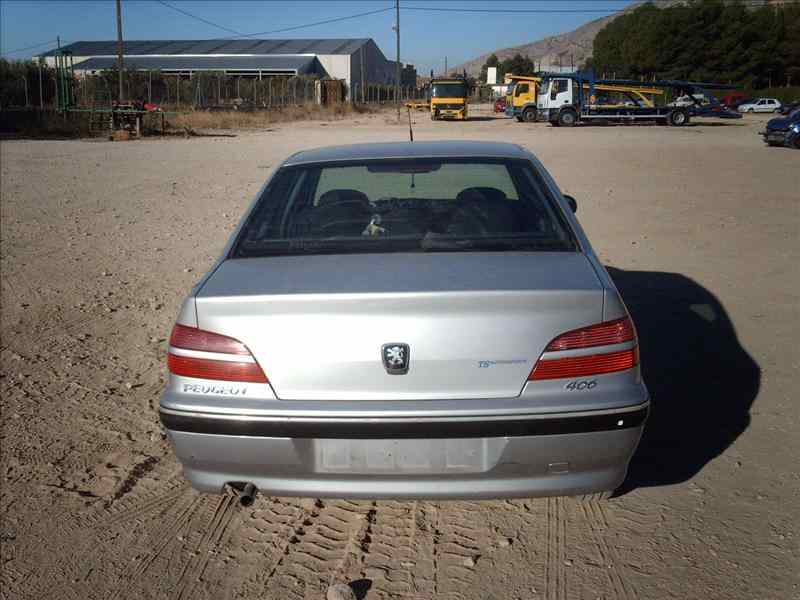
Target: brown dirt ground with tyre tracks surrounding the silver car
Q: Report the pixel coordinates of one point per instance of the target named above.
(100, 242)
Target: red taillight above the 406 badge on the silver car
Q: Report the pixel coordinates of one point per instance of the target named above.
(620, 331)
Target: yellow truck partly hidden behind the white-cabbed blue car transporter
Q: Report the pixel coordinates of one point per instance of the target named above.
(523, 92)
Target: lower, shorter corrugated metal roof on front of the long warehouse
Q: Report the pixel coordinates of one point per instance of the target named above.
(302, 65)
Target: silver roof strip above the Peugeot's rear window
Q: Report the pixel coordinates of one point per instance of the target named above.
(389, 150)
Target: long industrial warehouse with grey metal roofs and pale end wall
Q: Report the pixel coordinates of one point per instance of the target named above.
(356, 61)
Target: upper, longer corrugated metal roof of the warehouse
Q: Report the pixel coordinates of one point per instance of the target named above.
(244, 46)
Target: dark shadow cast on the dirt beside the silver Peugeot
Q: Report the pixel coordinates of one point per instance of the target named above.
(702, 382)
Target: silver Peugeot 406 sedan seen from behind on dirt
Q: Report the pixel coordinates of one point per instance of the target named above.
(406, 320)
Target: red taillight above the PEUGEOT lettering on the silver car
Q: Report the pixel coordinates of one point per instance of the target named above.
(203, 354)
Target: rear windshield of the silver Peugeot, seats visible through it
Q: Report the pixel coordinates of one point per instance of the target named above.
(405, 206)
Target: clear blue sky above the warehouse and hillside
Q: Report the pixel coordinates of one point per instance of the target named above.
(426, 36)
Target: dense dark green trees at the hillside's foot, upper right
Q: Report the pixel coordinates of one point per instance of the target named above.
(707, 40)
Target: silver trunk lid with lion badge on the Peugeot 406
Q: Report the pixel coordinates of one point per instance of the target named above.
(474, 323)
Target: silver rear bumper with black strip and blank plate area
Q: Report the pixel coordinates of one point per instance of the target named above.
(527, 455)
